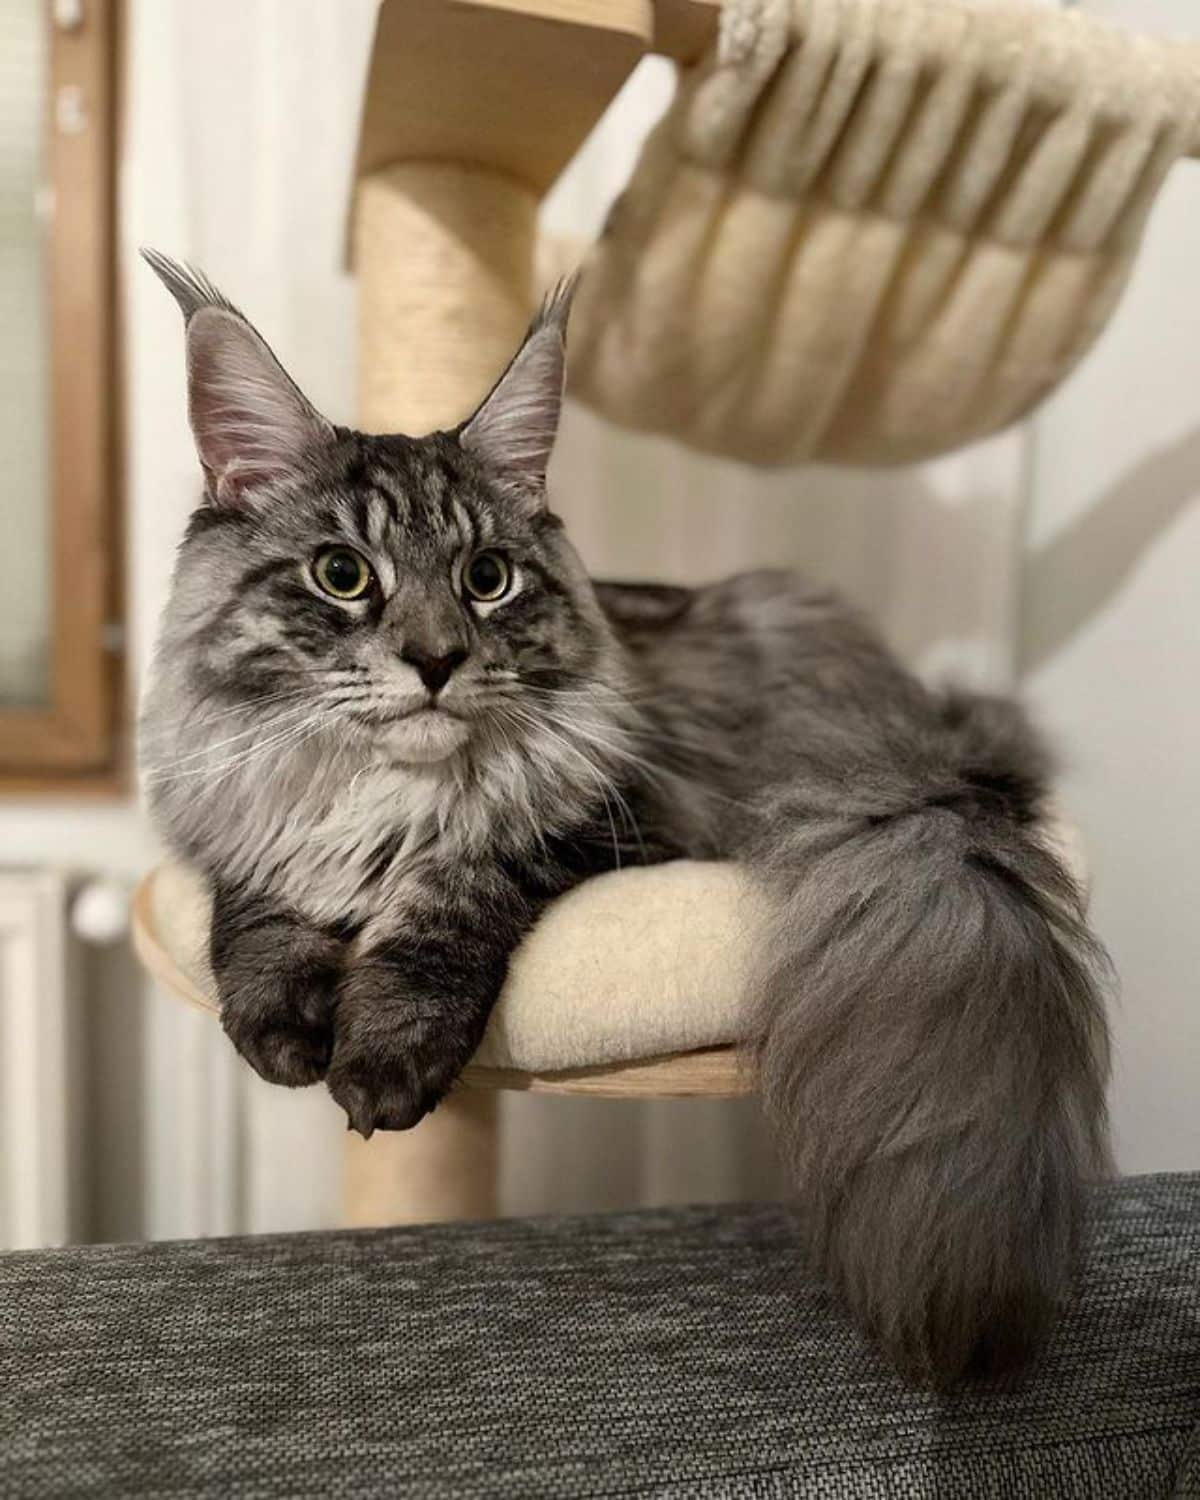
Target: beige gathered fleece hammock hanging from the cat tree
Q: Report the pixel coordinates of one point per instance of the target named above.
(874, 230)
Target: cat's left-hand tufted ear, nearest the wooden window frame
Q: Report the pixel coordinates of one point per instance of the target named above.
(250, 419)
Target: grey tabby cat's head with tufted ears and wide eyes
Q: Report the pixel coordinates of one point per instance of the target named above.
(413, 593)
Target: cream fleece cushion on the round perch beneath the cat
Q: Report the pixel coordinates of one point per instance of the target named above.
(626, 967)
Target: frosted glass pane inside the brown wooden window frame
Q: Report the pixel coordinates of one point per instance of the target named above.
(25, 358)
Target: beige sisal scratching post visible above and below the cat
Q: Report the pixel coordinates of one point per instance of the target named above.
(445, 265)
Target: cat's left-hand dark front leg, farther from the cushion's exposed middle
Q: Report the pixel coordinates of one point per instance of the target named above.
(277, 980)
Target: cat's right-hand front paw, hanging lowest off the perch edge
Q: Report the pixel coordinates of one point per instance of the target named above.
(394, 1057)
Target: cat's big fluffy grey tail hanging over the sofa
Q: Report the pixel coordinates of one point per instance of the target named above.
(934, 1046)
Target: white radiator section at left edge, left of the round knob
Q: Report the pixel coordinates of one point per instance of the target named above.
(40, 1082)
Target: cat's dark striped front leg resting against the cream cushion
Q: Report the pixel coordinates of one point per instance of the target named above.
(415, 1003)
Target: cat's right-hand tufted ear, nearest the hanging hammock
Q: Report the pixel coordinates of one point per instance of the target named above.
(514, 431)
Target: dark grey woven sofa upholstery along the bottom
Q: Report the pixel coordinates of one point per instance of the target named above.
(664, 1354)
